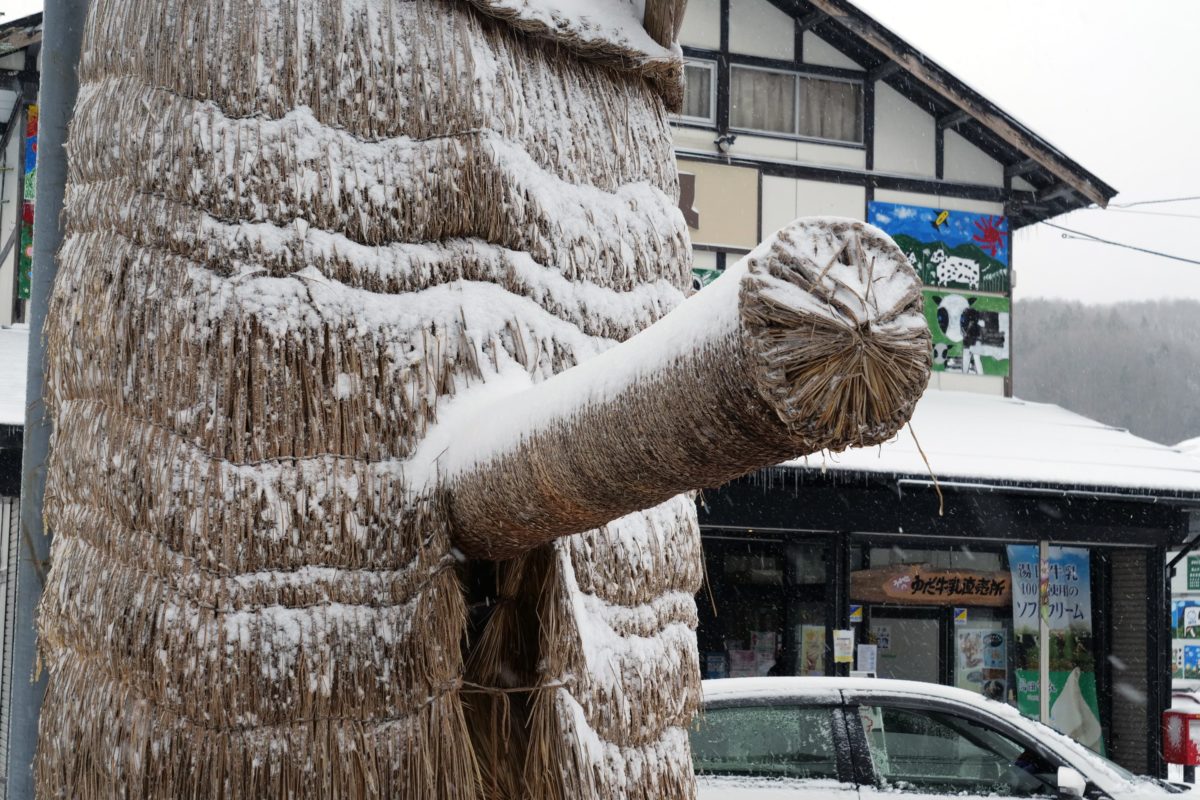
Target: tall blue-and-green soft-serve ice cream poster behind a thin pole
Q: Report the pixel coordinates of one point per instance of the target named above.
(1075, 709)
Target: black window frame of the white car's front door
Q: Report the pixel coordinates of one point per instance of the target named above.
(865, 767)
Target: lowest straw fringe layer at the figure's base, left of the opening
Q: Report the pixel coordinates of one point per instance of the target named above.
(127, 748)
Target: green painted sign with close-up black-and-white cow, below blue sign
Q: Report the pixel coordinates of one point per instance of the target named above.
(971, 333)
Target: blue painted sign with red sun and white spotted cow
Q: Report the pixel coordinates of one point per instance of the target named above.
(953, 250)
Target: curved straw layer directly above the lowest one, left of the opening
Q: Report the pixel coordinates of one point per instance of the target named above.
(263, 665)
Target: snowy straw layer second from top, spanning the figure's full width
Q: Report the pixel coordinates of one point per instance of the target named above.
(467, 184)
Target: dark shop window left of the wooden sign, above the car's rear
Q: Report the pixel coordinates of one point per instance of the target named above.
(766, 607)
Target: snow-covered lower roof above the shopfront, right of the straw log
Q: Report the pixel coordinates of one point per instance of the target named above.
(983, 438)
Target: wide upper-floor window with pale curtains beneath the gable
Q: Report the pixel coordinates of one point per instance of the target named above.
(776, 101)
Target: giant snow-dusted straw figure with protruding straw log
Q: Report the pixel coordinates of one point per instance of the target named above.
(325, 261)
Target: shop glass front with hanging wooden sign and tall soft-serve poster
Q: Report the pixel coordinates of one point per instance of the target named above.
(968, 616)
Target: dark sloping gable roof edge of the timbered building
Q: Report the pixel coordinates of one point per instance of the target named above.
(1060, 184)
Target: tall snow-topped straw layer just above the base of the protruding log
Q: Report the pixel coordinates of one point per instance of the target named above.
(256, 369)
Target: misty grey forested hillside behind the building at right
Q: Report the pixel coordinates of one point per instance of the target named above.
(1132, 365)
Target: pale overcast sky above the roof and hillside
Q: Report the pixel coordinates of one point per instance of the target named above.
(1114, 86)
